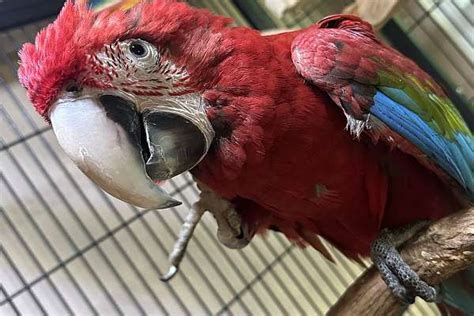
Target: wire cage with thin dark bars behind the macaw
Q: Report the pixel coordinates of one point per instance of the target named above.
(69, 248)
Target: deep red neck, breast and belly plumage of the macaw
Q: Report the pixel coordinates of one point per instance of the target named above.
(288, 163)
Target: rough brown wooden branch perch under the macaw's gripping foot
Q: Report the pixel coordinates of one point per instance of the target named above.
(442, 249)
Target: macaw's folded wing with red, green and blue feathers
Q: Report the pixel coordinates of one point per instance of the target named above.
(386, 95)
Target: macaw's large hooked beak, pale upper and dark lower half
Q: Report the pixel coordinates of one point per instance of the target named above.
(125, 151)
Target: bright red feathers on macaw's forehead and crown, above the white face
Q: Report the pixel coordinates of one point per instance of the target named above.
(61, 50)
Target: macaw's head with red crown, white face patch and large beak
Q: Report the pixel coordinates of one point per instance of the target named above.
(121, 89)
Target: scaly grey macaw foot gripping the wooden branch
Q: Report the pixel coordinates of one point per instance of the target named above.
(399, 277)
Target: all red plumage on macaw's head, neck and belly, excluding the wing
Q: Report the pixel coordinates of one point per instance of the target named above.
(281, 152)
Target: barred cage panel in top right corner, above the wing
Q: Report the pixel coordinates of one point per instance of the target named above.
(444, 32)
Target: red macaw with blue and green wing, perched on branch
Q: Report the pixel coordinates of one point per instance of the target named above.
(324, 131)
